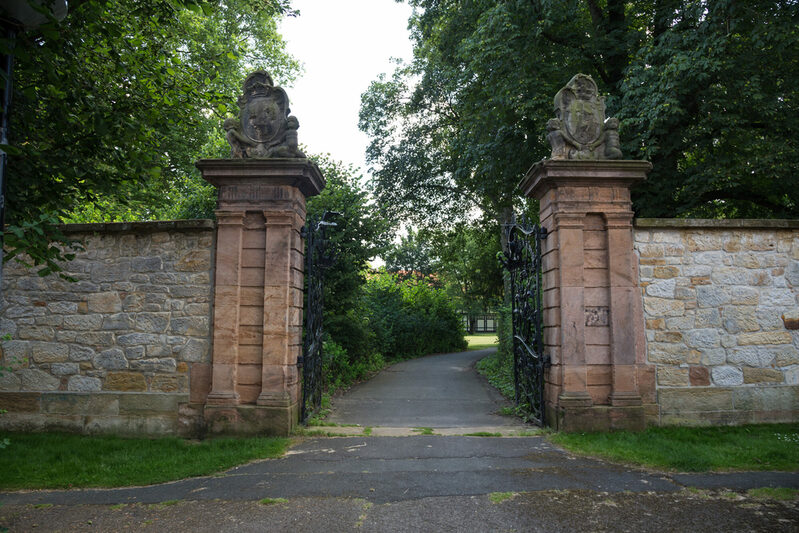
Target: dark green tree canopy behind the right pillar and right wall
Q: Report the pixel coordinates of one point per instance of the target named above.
(706, 90)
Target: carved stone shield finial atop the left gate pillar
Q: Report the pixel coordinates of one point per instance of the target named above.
(263, 128)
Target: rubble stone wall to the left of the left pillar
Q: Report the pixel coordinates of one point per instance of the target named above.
(124, 348)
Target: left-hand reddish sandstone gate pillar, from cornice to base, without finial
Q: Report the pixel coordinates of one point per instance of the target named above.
(257, 333)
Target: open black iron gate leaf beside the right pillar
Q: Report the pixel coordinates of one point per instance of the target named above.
(523, 263)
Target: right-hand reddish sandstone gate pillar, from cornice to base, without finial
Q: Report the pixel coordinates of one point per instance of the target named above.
(593, 321)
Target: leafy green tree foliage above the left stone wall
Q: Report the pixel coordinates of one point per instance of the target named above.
(113, 105)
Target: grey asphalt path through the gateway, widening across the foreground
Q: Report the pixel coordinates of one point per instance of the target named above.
(443, 482)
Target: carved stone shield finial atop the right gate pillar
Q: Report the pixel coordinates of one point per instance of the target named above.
(580, 130)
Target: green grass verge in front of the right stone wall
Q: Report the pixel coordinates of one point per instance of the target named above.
(692, 449)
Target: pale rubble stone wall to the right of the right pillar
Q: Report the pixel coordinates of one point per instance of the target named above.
(721, 309)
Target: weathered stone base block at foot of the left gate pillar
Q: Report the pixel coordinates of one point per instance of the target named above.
(250, 420)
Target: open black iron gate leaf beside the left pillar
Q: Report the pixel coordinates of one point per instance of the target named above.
(318, 257)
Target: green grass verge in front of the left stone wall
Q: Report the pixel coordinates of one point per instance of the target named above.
(60, 460)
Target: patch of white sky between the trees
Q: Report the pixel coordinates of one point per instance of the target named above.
(343, 45)
